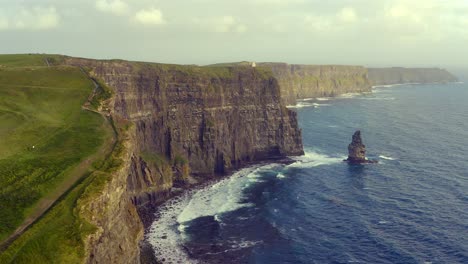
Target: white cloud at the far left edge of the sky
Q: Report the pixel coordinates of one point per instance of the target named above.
(36, 18)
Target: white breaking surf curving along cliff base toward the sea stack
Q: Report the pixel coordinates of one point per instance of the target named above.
(167, 233)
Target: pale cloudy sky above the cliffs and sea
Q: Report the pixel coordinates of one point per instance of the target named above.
(364, 32)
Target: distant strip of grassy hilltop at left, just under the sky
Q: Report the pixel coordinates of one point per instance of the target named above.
(27, 60)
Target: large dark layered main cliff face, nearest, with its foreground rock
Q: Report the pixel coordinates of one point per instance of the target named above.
(189, 123)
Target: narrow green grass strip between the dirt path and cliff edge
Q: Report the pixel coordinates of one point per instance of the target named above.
(59, 236)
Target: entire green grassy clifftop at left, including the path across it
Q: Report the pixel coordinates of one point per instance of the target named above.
(48, 143)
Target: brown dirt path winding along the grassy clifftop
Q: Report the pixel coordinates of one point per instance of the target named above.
(73, 175)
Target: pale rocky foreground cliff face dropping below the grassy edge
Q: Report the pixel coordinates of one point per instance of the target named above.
(118, 226)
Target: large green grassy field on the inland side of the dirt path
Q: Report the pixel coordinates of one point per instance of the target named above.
(44, 133)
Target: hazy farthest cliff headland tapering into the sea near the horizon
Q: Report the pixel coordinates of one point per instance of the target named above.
(398, 75)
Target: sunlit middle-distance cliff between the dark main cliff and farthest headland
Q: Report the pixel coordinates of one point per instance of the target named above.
(307, 81)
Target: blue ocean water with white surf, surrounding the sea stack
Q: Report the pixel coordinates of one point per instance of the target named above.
(412, 207)
